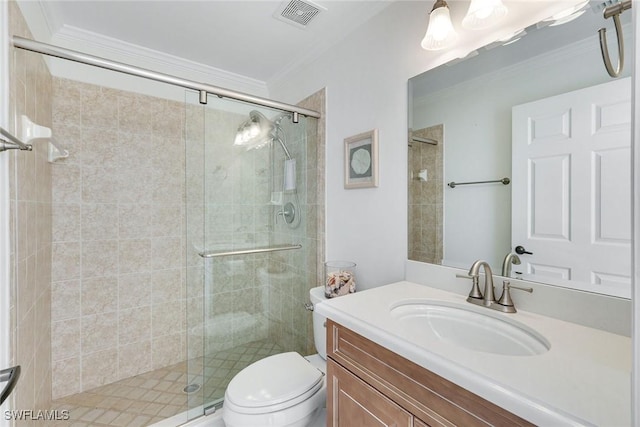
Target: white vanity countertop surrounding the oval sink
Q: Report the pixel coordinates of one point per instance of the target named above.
(583, 380)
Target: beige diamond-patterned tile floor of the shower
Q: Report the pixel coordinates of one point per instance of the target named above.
(153, 396)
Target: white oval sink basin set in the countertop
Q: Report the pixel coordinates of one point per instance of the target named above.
(470, 327)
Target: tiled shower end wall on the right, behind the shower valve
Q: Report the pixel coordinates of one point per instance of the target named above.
(291, 324)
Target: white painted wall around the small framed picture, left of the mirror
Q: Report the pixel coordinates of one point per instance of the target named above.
(366, 79)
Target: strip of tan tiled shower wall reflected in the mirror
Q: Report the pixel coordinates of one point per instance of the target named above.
(425, 197)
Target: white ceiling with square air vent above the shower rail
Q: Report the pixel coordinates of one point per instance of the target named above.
(238, 36)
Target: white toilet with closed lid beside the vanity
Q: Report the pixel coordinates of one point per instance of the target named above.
(283, 390)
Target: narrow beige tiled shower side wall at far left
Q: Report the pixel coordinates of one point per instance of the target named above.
(30, 216)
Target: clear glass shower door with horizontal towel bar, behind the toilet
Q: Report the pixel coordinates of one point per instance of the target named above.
(251, 242)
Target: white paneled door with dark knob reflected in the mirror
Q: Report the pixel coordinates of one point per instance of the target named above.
(571, 200)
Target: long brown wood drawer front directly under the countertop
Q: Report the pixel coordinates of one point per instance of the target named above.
(431, 398)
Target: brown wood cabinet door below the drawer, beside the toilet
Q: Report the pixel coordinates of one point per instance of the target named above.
(352, 402)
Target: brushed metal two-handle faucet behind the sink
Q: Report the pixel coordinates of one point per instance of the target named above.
(487, 298)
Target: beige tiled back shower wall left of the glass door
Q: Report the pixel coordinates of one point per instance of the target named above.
(118, 298)
